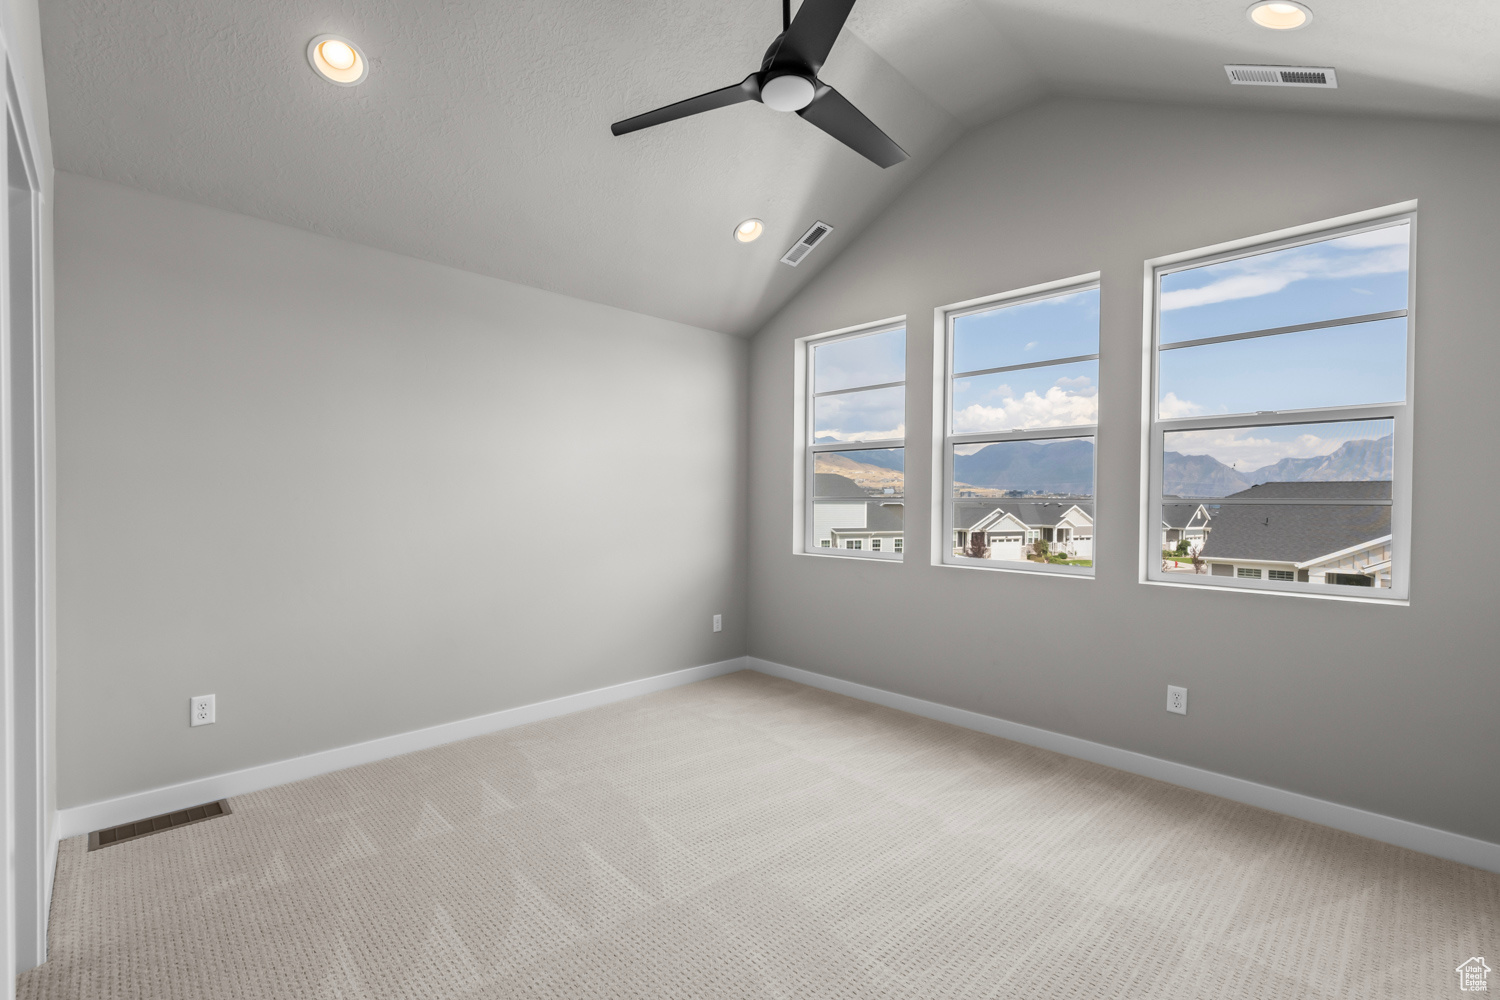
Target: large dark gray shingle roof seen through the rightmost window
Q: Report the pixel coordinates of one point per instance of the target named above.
(1298, 533)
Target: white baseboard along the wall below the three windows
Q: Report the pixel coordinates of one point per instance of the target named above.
(1385, 828)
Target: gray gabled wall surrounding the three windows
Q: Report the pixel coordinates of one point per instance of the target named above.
(1385, 708)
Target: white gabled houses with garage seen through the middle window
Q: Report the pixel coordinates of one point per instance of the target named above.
(1010, 527)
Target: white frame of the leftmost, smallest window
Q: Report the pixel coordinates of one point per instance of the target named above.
(806, 452)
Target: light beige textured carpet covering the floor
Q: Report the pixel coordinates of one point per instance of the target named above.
(749, 837)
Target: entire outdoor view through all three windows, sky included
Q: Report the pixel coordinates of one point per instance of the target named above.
(1246, 349)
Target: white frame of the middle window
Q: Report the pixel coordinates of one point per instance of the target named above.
(944, 437)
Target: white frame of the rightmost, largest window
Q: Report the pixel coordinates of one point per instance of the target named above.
(1156, 430)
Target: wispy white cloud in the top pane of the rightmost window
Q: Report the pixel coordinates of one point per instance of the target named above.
(1270, 274)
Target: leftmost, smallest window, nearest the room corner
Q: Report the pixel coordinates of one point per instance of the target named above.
(856, 439)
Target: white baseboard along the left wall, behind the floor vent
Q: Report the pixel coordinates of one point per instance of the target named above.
(82, 819)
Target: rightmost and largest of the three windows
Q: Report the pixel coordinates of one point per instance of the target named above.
(1283, 406)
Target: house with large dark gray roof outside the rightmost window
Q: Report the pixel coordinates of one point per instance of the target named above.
(1315, 543)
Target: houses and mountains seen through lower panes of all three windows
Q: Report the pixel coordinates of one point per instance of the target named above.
(1217, 521)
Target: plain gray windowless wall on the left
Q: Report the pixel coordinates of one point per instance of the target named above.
(355, 494)
